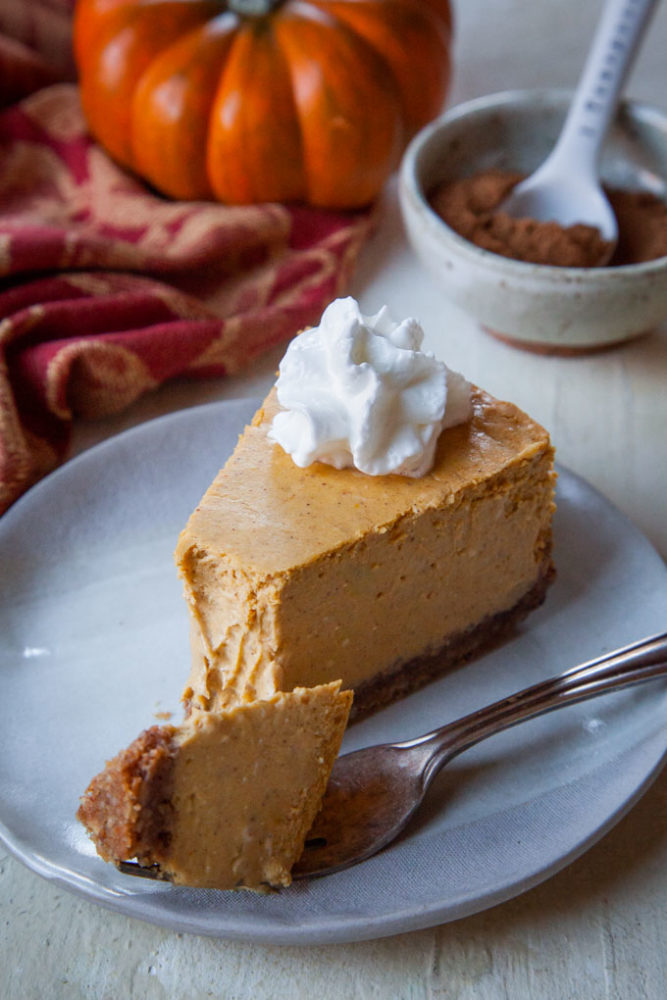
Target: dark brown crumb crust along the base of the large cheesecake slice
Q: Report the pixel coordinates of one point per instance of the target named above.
(406, 678)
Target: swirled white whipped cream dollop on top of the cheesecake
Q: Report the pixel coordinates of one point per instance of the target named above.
(359, 391)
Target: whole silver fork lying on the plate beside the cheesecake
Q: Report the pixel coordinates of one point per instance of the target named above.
(373, 793)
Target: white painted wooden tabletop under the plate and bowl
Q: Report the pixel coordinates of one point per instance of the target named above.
(598, 929)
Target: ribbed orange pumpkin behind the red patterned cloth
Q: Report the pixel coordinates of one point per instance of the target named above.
(262, 100)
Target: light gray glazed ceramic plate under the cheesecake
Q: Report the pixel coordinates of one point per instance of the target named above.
(94, 642)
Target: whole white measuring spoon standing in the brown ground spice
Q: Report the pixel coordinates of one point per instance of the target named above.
(566, 187)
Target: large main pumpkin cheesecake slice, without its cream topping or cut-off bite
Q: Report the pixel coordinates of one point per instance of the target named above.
(296, 576)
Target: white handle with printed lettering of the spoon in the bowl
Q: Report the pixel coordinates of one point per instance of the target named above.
(614, 46)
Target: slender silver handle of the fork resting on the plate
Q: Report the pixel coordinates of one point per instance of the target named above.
(641, 661)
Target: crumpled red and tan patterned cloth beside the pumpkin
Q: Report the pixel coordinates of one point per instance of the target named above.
(107, 290)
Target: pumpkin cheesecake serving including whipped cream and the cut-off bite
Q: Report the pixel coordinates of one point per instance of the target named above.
(380, 521)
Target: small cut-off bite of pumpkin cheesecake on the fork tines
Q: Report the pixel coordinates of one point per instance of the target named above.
(225, 799)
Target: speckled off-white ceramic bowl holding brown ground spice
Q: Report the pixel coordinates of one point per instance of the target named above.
(553, 309)
